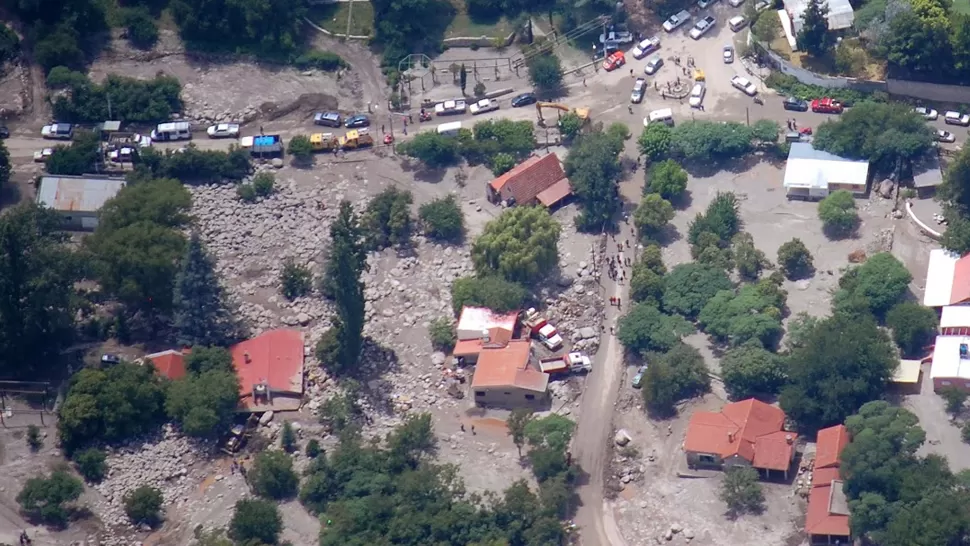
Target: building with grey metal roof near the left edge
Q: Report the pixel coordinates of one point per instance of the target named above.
(77, 199)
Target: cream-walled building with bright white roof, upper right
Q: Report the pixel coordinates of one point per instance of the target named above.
(813, 174)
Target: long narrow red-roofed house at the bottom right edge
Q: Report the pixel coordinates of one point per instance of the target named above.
(827, 518)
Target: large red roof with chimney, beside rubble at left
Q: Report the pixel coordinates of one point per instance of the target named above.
(275, 358)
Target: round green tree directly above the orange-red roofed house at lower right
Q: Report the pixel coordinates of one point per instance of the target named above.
(750, 370)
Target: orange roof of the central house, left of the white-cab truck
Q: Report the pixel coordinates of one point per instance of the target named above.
(509, 367)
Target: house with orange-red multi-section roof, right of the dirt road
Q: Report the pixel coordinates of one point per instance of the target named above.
(745, 433)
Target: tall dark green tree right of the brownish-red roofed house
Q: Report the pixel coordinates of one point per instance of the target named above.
(593, 168)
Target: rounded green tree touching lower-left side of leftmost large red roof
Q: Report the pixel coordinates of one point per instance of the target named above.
(203, 404)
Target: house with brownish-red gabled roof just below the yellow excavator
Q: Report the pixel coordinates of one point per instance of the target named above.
(539, 179)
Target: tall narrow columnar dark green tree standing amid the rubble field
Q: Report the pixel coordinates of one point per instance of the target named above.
(340, 350)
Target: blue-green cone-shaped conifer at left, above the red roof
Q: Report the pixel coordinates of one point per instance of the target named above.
(201, 316)
